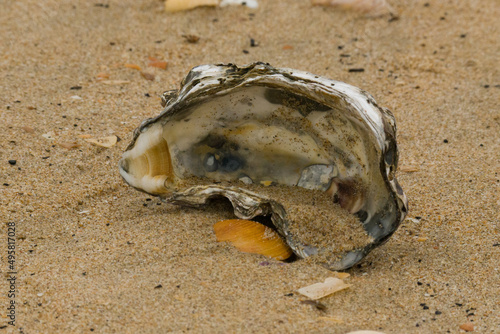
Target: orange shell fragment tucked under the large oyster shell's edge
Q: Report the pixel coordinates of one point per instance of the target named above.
(252, 237)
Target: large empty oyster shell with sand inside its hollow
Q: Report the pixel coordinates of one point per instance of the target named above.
(318, 156)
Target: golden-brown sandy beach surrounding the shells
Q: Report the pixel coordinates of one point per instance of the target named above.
(93, 254)
